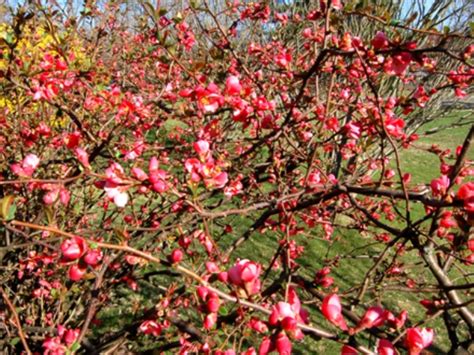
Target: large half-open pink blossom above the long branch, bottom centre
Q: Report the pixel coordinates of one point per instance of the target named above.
(245, 274)
